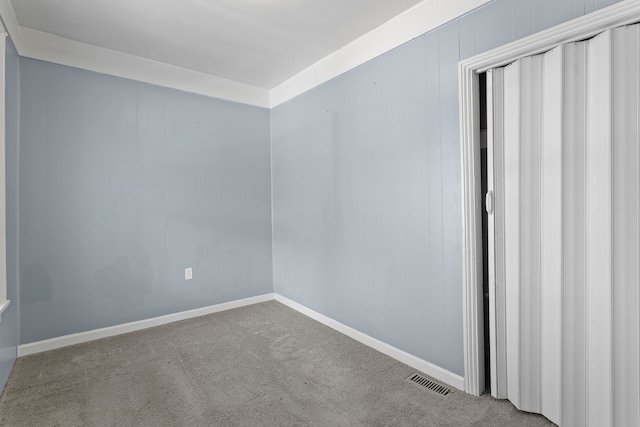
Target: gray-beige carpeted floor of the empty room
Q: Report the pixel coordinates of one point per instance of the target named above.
(263, 365)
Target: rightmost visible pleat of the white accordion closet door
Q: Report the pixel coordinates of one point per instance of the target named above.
(625, 293)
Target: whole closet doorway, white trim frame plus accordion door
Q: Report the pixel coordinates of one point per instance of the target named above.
(568, 343)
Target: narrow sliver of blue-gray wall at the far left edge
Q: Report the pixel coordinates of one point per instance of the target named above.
(9, 326)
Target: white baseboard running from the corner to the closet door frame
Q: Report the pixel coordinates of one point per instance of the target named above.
(421, 365)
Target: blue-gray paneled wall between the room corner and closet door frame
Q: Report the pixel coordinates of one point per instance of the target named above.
(366, 184)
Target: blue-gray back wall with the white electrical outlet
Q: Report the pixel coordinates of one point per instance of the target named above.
(122, 186)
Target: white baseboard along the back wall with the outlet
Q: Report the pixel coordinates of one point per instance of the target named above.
(66, 340)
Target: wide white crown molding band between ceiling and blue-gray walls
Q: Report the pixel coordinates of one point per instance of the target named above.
(423, 17)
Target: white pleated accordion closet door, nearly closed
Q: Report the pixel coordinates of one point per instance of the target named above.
(566, 237)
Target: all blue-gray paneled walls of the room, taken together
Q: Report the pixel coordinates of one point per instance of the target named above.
(119, 185)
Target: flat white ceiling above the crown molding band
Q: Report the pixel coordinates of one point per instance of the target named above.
(257, 42)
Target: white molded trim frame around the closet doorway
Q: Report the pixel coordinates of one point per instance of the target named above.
(622, 13)
